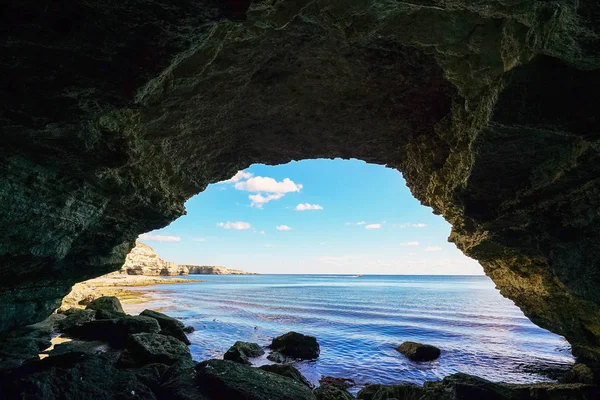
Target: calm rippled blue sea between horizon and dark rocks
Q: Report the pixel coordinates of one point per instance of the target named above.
(359, 320)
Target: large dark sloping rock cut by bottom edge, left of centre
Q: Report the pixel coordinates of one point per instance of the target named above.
(227, 380)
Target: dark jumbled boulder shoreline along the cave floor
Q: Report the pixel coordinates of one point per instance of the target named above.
(102, 353)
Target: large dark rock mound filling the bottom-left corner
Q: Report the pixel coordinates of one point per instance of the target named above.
(72, 376)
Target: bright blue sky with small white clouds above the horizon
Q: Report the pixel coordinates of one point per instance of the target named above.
(310, 217)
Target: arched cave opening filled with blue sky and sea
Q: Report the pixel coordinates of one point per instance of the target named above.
(345, 253)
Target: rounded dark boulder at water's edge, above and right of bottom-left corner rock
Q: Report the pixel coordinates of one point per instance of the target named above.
(147, 348)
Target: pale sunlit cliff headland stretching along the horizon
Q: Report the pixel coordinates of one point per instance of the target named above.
(143, 260)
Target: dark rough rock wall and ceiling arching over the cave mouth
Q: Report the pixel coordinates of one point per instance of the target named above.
(113, 115)
